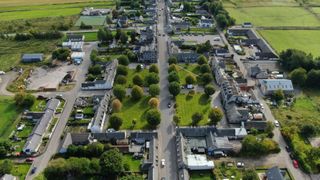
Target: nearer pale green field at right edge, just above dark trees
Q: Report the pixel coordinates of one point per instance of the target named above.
(305, 40)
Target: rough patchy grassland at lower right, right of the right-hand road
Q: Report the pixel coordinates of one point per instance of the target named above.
(304, 111)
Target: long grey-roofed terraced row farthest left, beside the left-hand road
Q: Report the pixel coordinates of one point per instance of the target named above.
(35, 139)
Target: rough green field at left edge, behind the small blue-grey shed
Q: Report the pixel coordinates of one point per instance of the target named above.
(10, 51)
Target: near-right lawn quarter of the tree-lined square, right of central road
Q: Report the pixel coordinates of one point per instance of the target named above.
(188, 105)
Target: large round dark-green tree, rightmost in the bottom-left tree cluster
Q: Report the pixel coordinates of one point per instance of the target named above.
(111, 162)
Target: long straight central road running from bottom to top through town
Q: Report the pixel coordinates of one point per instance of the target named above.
(166, 130)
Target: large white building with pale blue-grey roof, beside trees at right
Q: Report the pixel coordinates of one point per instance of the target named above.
(269, 86)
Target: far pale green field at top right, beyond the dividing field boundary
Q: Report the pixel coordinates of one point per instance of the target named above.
(274, 16)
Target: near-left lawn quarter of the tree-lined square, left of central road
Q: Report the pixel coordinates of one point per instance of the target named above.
(132, 110)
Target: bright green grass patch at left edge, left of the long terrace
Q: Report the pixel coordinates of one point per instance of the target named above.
(8, 116)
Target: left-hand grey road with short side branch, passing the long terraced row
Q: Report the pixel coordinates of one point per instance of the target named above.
(42, 161)
